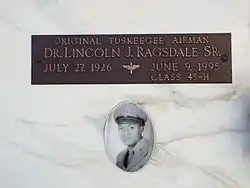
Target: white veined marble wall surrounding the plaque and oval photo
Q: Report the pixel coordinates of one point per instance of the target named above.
(51, 136)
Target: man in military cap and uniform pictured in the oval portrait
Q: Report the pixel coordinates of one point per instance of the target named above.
(131, 121)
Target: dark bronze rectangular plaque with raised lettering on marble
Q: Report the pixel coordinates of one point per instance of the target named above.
(132, 59)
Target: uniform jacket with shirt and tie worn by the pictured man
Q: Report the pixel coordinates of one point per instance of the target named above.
(141, 154)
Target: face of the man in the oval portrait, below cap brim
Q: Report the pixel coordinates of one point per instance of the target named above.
(130, 133)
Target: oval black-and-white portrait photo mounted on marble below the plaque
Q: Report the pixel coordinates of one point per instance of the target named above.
(129, 136)
